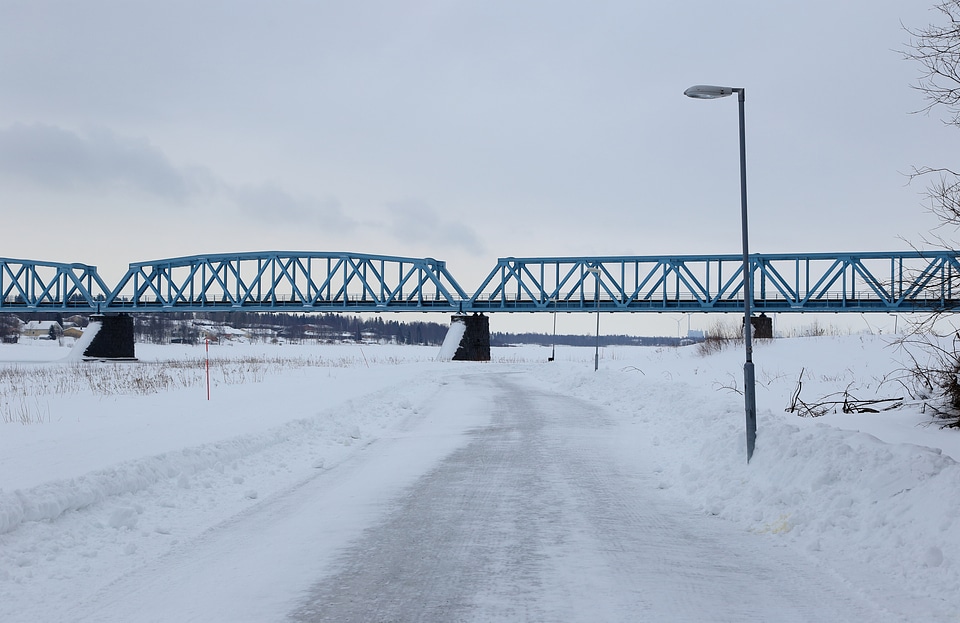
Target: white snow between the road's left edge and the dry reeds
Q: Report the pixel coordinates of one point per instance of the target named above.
(64, 538)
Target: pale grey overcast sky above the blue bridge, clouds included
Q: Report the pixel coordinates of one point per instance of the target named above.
(464, 131)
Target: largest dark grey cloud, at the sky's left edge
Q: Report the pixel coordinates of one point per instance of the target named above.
(53, 158)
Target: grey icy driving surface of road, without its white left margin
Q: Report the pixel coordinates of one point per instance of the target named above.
(537, 520)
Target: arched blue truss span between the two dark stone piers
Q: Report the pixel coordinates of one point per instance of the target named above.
(284, 280)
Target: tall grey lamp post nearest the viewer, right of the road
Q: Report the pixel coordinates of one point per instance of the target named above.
(701, 91)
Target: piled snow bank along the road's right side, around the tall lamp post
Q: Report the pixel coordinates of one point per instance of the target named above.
(843, 496)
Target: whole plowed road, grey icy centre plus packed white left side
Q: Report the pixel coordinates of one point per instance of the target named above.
(499, 503)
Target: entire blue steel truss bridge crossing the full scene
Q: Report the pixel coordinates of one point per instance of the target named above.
(906, 282)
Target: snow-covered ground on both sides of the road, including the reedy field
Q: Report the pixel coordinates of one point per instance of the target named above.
(105, 469)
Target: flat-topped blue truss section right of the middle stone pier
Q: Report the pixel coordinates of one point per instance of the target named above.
(896, 281)
